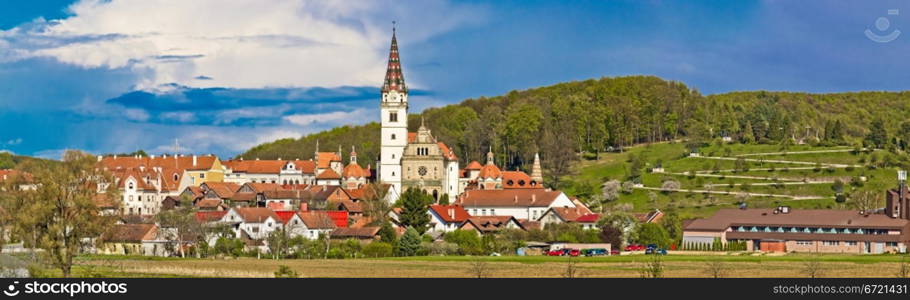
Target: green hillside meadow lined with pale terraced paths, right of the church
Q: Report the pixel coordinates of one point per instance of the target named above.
(674, 157)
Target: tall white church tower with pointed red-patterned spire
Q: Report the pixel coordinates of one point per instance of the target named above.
(394, 120)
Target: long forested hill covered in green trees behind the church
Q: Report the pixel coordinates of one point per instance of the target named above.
(598, 115)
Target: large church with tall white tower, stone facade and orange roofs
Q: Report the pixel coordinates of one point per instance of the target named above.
(418, 160)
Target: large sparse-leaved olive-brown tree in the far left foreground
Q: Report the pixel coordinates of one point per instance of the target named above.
(61, 213)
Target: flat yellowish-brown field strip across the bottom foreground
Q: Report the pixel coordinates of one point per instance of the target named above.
(495, 267)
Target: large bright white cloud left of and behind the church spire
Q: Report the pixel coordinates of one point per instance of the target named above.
(241, 43)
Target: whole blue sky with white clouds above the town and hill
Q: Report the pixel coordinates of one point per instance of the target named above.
(213, 76)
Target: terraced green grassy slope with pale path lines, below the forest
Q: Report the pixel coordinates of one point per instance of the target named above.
(718, 175)
